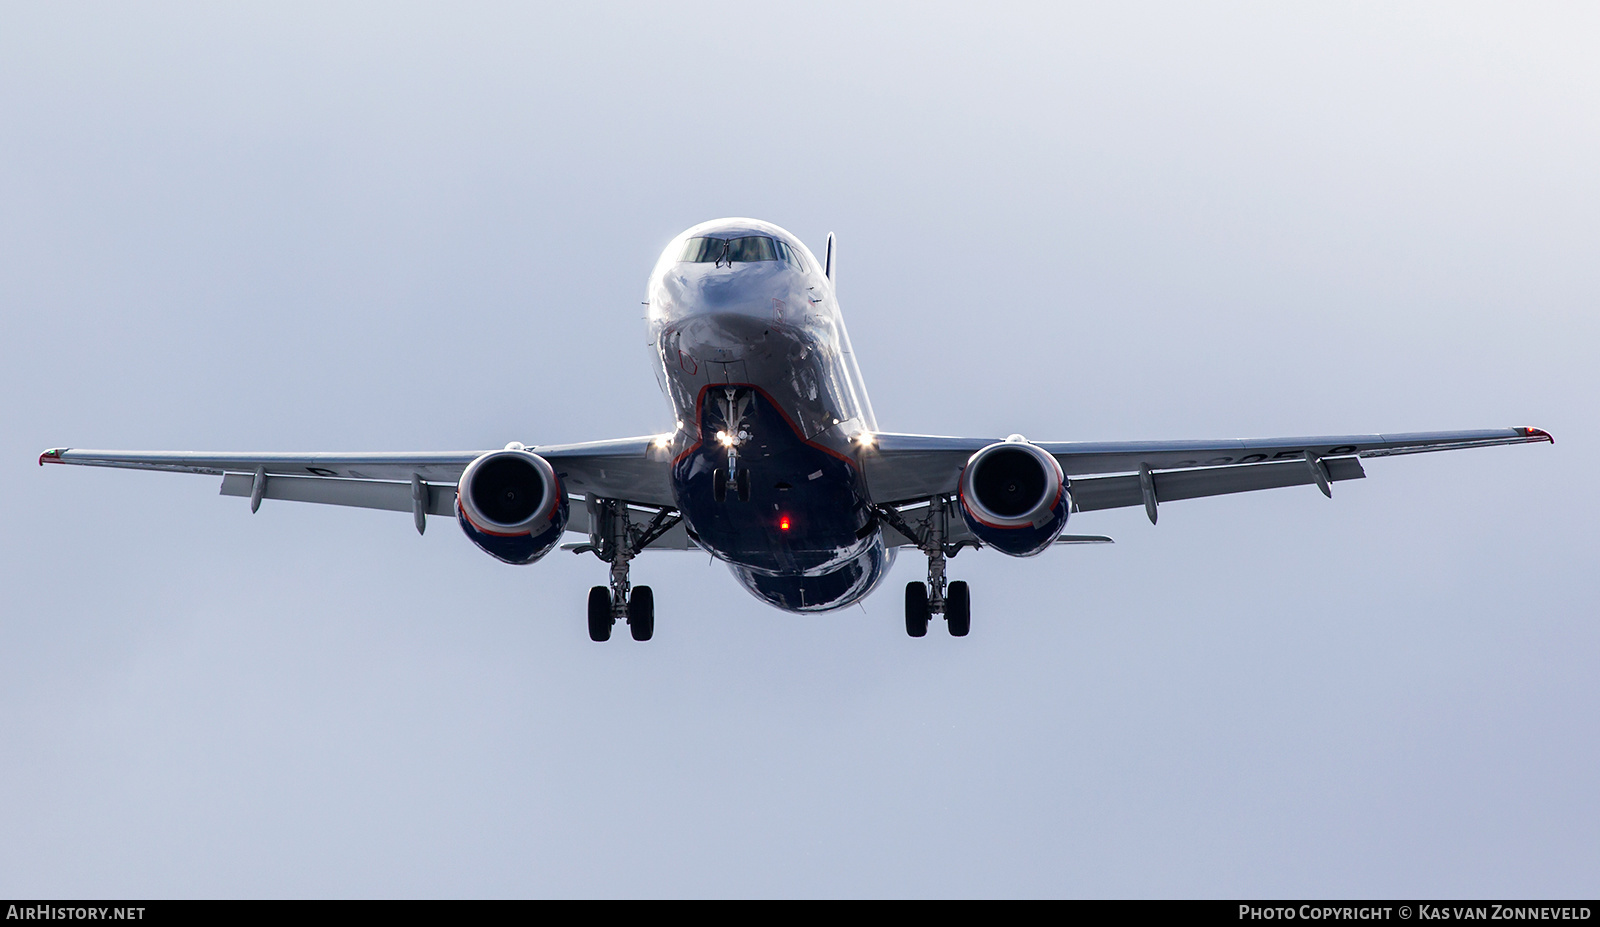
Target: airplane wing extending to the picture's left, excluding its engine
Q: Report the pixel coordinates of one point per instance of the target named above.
(631, 470)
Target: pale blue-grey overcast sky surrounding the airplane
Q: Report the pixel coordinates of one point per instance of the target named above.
(420, 228)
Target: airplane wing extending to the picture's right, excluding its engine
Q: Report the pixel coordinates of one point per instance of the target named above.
(903, 468)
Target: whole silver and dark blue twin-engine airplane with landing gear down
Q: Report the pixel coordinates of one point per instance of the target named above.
(775, 463)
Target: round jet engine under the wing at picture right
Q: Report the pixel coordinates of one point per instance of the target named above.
(1015, 497)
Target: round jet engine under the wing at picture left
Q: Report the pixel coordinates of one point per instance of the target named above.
(513, 505)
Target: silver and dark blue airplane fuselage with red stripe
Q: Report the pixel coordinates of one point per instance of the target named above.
(770, 411)
